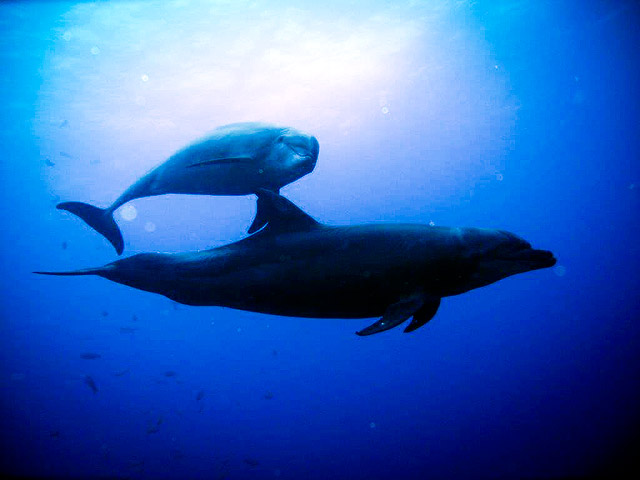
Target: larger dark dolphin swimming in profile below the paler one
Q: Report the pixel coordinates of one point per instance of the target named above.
(298, 267)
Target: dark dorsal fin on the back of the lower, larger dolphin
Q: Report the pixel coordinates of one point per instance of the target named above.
(280, 214)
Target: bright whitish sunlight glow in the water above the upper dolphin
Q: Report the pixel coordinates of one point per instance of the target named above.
(144, 80)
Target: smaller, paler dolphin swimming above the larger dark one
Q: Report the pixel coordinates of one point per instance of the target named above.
(236, 159)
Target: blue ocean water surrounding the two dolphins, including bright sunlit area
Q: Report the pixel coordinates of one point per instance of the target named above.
(517, 115)
